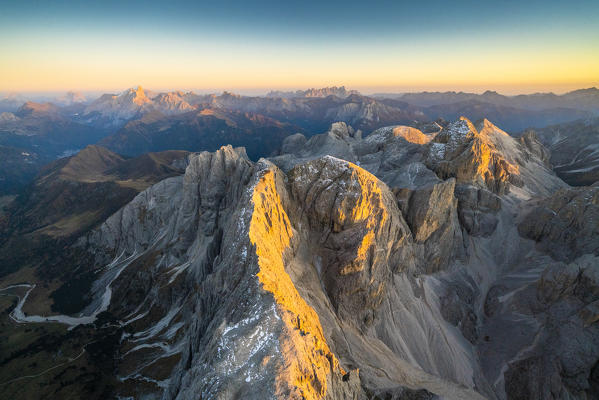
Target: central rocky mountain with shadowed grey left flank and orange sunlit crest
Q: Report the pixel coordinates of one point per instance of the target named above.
(205, 301)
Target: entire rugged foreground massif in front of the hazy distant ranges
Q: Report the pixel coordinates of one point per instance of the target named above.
(438, 260)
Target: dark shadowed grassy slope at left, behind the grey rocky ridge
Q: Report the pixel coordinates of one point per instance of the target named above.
(73, 194)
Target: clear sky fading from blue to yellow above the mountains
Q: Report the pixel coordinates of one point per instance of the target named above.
(245, 46)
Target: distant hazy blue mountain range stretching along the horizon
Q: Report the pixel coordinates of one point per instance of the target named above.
(136, 120)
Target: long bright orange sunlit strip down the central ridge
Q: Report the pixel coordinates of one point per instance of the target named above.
(310, 369)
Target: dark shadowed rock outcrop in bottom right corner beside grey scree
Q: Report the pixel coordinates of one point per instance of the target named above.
(555, 366)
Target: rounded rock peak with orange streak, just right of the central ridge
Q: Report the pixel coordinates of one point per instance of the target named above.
(350, 221)
